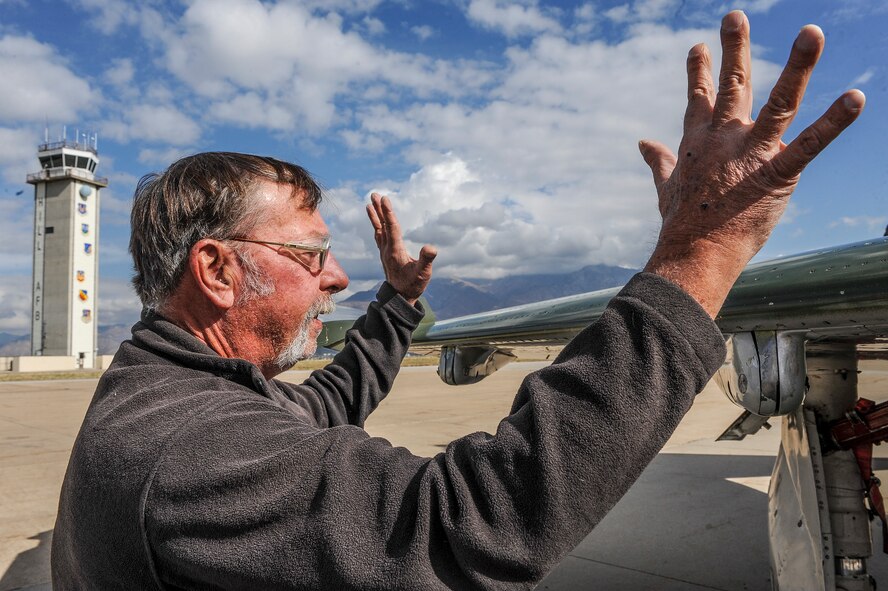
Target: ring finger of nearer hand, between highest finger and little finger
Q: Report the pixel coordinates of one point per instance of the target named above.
(782, 105)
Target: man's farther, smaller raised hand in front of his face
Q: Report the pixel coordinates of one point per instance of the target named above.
(407, 275)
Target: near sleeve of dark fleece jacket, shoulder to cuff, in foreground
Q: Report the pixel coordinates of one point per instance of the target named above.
(280, 505)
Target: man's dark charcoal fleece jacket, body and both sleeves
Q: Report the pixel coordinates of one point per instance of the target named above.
(192, 471)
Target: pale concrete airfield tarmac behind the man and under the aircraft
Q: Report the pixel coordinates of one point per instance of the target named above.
(696, 519)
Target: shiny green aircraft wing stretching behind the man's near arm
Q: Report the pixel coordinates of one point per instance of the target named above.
(835, 292)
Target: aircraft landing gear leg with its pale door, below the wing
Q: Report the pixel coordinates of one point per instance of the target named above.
(819, 529)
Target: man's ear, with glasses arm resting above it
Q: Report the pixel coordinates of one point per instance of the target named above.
(214, 269)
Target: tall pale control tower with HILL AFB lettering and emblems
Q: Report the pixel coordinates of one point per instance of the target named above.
(66, 256)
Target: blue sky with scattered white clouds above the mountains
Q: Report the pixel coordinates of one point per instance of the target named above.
(505, 132)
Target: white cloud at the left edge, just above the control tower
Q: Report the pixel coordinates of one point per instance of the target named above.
(38, 84)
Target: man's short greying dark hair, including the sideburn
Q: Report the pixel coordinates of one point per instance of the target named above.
(201, 196)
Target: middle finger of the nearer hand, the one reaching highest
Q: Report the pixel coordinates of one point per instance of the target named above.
(734, 99)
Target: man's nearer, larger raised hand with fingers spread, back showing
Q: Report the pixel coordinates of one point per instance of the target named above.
(724, 192)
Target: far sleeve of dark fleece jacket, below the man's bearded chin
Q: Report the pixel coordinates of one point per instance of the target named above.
(348, 389)
